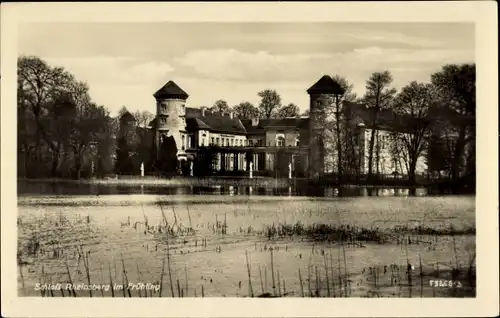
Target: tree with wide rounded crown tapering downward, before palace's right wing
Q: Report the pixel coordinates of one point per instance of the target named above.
(412, 107)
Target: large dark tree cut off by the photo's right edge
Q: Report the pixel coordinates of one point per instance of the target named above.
(456, 86)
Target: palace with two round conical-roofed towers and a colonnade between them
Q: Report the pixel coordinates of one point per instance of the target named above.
(273, 145)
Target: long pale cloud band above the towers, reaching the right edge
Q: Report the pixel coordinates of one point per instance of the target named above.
(263, 66)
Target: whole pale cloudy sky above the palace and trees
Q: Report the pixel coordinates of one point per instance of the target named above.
(125, 63)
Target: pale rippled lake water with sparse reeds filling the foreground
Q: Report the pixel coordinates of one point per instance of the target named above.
(228, 242)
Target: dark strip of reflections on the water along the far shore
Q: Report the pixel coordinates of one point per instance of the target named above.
(50, 188)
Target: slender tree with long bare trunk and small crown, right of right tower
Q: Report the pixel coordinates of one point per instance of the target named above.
(378, 96)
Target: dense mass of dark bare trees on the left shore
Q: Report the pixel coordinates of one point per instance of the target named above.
(61, 131)
